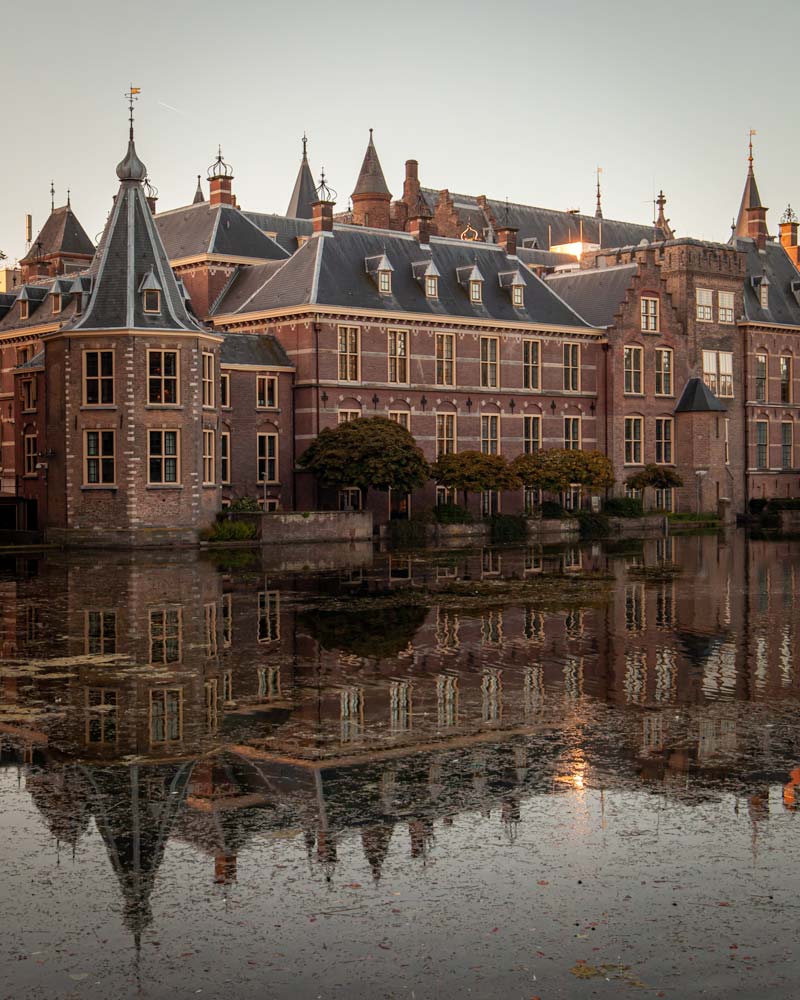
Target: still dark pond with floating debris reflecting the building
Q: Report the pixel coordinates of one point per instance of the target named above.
(346, 772)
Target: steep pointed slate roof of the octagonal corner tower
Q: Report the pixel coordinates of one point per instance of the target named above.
(130, 249)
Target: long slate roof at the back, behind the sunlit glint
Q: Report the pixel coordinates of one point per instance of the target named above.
(547, 226)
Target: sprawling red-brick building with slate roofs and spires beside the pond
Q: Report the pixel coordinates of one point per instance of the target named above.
(191, 358)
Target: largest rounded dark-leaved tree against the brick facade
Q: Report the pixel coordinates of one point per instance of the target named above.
(369, 453)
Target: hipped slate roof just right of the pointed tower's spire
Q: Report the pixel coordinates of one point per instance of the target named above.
(201, 229)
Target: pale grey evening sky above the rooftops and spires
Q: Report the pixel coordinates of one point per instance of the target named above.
(520, 99)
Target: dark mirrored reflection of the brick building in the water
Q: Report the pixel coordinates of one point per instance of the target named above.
(257, 698)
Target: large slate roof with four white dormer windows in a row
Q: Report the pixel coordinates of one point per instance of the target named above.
(331, 270)
